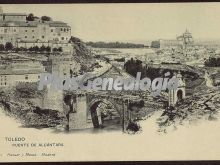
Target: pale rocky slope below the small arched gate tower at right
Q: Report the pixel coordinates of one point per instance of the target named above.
(202, 105)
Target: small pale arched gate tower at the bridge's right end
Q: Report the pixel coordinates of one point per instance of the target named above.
(178, 94)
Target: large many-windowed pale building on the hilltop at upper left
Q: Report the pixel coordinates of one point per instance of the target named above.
(16, 29)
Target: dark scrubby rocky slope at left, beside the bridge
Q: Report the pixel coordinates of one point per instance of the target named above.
(18, 103)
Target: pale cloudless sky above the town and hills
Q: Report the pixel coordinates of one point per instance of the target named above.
(131, 22)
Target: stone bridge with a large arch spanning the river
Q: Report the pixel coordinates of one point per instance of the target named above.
(84, 111)
